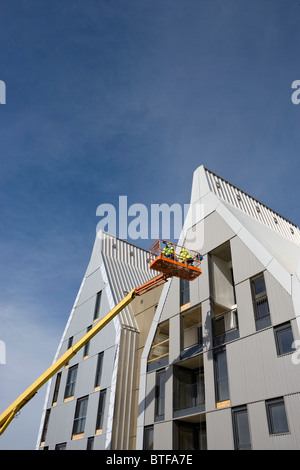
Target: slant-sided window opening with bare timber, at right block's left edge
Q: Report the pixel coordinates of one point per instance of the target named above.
(160, 347)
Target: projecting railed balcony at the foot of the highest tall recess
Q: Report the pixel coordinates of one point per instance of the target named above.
(225, 327)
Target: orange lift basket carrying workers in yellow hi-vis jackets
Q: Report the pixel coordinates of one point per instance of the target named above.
(173, 265)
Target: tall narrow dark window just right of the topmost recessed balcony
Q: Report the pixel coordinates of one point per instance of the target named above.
(260, 300)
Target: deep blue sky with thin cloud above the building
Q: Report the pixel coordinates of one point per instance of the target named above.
(126, 97)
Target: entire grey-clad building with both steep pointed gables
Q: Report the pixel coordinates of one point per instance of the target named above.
(207, 364)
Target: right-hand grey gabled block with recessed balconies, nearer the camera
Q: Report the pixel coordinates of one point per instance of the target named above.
(226, 377)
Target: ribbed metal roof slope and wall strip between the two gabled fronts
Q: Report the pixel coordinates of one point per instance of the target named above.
(127, 267)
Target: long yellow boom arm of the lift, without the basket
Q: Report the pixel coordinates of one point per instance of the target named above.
(7, 416)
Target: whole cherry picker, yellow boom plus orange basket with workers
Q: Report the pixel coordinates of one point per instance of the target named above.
(165, 257)
